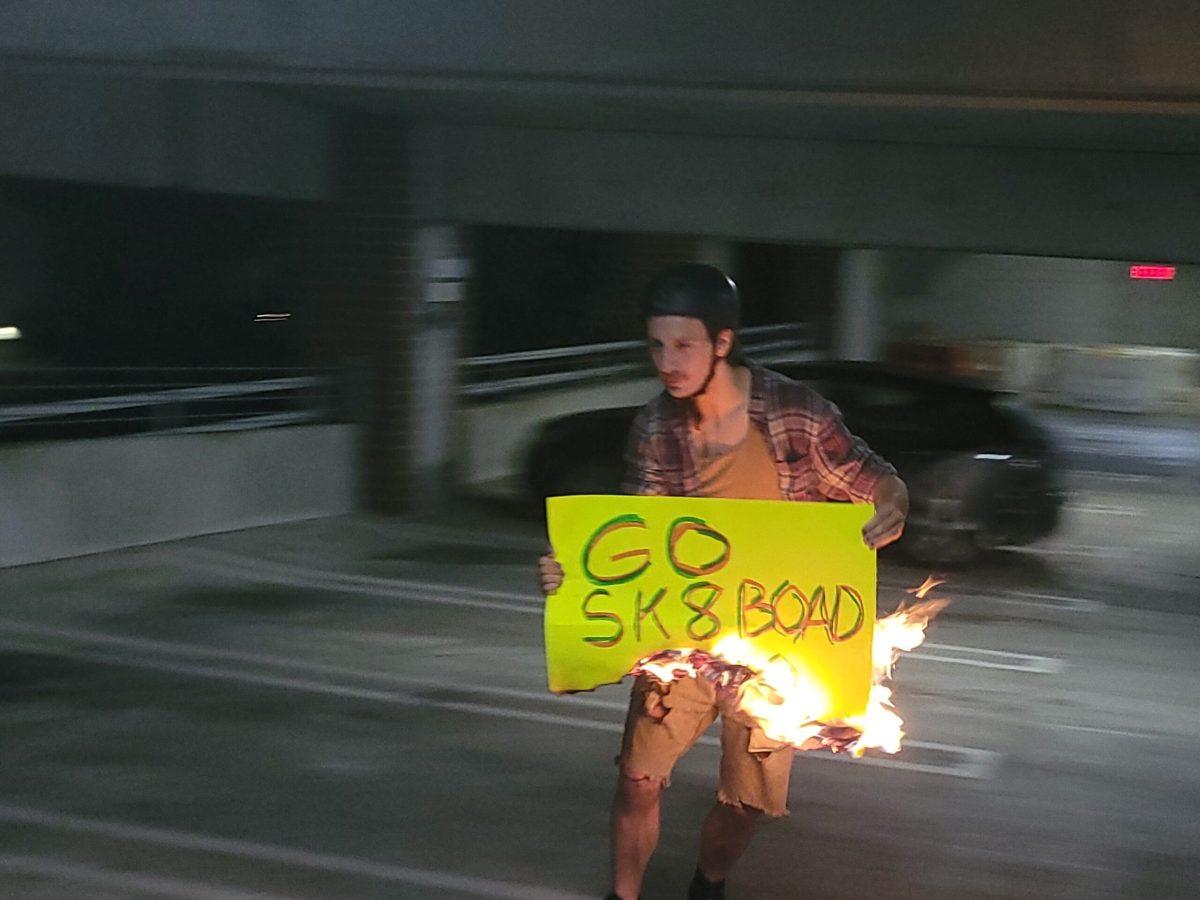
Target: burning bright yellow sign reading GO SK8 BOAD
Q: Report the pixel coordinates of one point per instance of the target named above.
(646, 574)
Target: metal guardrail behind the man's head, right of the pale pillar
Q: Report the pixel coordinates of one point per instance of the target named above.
(508, 374)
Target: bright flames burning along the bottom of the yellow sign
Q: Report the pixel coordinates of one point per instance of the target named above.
(788, 705)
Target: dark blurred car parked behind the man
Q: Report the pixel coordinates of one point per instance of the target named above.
(981, 471)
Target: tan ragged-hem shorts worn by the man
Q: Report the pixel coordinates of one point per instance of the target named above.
(663, 724)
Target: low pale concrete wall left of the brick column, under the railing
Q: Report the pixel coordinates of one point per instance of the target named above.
(70, 499)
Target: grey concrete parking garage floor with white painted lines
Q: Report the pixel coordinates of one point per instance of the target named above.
(355, 709)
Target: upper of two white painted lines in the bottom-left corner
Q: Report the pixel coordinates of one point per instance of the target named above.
(283, 856)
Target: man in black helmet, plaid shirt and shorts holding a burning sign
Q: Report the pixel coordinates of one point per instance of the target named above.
(723, 428)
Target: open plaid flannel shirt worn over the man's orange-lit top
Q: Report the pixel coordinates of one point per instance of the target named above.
(817, 458)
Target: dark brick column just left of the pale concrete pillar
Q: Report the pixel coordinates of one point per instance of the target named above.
(356, 260)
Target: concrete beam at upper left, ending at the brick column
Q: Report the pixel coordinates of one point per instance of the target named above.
(183, 135)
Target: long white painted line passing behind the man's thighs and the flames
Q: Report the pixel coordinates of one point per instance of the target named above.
(415, 700)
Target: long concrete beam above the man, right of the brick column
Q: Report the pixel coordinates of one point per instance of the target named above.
(844, 194)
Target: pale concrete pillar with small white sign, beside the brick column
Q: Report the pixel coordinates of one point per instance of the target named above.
(443, 268)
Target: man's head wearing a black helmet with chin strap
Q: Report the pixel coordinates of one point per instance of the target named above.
(693, 313)
